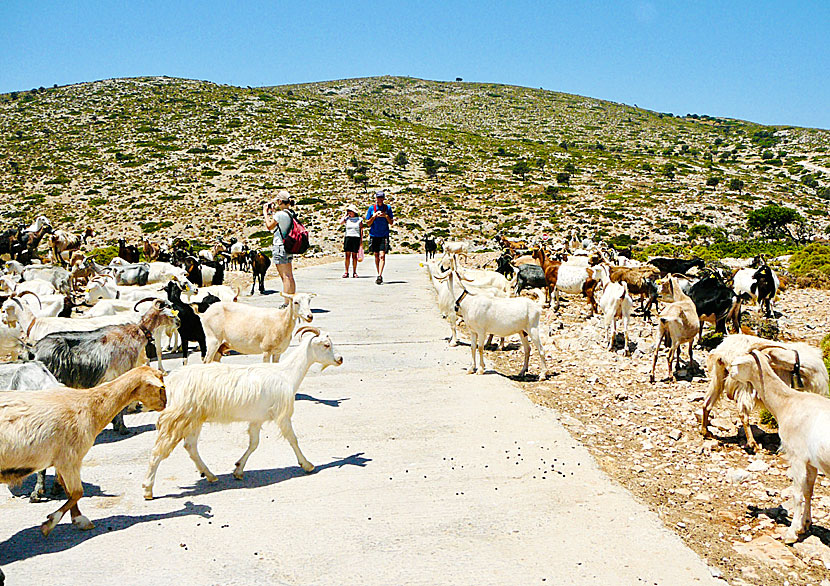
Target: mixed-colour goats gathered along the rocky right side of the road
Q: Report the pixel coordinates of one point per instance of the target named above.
(748, 369)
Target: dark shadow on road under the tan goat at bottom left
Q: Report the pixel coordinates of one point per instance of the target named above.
(30, 542)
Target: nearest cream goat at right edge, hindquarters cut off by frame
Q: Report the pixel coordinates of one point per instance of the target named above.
(803, 420)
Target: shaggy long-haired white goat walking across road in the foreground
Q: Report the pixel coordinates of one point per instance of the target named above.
(224, 393)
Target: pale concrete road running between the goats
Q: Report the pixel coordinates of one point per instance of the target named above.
(425, 475)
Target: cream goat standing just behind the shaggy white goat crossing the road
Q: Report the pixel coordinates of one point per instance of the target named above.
(253, 330)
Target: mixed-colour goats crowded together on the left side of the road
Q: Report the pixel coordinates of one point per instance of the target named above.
(69, 375)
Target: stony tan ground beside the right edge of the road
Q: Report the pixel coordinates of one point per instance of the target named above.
(726, 504)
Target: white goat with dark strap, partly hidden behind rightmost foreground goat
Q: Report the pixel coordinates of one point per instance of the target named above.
(795, 363)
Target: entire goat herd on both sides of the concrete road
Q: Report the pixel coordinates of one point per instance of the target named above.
(70, 375)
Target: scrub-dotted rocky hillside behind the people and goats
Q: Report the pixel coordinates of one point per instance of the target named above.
(169, 156)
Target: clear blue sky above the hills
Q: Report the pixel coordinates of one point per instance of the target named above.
(765, 61)
